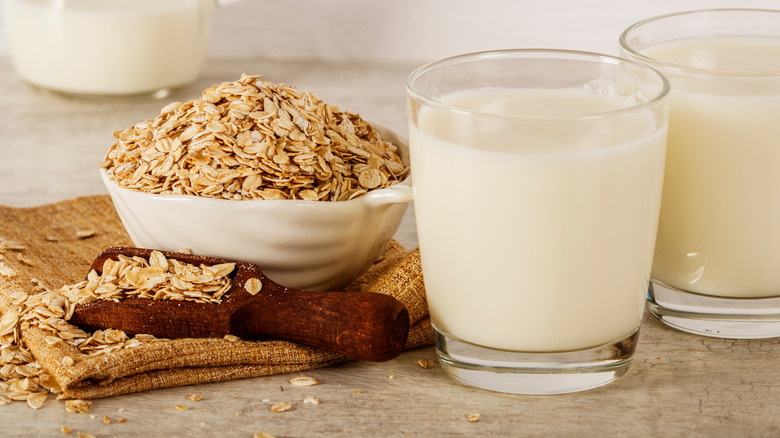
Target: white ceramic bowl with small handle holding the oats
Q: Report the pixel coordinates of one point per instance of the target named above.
(311, 245)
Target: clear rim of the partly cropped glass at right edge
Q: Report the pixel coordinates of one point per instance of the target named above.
(683, 69)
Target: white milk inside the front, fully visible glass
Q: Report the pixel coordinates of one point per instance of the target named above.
(536, 239)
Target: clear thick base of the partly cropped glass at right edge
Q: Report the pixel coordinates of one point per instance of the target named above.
(718, 317)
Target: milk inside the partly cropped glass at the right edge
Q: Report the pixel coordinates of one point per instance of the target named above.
(719, 231)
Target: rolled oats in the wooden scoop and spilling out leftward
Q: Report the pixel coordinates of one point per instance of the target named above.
(23, 379)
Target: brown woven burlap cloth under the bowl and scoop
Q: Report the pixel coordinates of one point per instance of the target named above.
(51, 235)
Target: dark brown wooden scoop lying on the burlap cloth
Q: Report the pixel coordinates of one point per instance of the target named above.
(360, 325)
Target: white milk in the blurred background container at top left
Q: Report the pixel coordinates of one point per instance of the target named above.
(108, 46)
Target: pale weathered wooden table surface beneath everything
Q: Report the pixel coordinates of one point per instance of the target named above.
(679, 384)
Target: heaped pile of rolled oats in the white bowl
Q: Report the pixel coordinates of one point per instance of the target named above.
(253, 139)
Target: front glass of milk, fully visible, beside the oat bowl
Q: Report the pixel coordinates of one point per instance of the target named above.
(537, 179)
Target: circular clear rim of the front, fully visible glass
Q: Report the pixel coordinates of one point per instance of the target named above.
(560, 54)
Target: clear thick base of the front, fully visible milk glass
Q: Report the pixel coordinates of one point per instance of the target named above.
(535, 373)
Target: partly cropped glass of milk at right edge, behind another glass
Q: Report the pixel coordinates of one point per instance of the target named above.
(716, 270)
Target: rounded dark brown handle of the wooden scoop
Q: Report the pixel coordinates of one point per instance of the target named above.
(360, 325)
